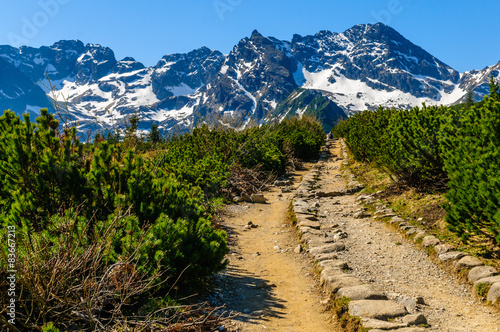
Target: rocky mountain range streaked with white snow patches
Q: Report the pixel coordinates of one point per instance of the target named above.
(263, 79)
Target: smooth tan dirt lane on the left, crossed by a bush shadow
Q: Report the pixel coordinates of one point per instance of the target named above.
(267, 283)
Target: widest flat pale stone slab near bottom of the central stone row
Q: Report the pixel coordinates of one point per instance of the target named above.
(377, 309)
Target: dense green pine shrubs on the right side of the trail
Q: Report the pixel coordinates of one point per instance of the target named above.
(452, 148)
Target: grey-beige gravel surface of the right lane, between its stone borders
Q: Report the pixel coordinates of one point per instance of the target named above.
(383, 258)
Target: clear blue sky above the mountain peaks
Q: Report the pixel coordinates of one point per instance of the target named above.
(462, 33)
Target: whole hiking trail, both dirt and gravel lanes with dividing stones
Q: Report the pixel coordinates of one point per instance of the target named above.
(274, 287)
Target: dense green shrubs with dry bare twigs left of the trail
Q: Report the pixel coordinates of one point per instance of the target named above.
(102, 226)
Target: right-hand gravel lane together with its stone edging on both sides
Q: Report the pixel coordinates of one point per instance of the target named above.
(338, 233)
